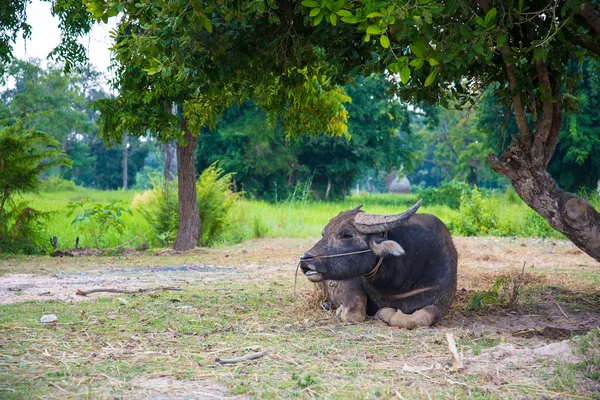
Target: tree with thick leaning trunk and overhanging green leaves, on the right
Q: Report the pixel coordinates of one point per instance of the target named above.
(520, 50)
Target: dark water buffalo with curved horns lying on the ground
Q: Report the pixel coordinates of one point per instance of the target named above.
(401, 268)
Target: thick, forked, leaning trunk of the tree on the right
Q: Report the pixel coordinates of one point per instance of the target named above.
(525, 161)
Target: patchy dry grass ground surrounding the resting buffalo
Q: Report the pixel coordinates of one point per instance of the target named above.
(164, 345)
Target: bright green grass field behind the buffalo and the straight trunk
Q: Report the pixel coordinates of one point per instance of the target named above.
(250, 218)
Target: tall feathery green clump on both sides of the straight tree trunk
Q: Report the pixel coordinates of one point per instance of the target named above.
(216, 200)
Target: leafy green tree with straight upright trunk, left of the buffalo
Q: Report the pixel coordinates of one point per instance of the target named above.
(205, 57)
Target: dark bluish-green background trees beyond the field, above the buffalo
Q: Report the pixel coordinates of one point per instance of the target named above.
(270, 166)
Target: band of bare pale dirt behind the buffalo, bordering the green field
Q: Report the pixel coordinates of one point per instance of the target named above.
(553, 263)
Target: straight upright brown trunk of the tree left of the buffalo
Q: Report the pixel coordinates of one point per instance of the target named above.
(189, 217)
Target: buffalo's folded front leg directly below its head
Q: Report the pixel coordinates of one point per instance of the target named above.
(348, 299)
